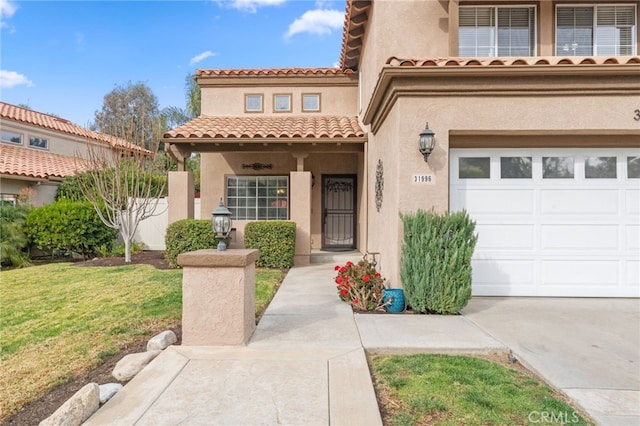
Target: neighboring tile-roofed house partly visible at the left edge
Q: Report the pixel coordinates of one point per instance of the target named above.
(37, 151)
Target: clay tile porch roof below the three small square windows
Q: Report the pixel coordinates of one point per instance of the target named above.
(332, 127)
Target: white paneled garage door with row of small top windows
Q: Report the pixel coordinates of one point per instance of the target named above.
(551, 222)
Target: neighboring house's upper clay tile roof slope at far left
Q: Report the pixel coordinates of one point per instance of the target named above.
(46, 121)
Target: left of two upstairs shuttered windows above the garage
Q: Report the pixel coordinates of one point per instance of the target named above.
(497, 31)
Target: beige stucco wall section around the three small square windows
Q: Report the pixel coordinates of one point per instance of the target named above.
(229, 101)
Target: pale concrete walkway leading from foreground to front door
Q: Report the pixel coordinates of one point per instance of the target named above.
(303, 365)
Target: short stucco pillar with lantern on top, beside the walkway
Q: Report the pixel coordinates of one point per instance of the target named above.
(218, 297)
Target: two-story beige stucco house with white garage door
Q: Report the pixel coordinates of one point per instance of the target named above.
(535, 106)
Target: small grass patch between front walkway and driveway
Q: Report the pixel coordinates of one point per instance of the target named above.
(427, 389)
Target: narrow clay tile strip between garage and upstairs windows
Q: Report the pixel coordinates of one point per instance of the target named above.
(550, 60)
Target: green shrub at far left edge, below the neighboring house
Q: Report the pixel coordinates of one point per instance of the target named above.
(13, 239)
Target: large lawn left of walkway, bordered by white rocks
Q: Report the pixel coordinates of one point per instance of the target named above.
(57, 320)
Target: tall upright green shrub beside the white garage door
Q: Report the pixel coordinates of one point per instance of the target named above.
(435, 266)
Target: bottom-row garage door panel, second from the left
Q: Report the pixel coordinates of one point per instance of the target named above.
(580, 273)
